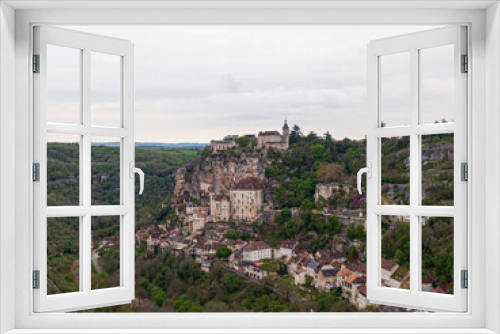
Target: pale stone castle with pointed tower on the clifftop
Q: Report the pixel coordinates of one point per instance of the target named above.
(264, 139)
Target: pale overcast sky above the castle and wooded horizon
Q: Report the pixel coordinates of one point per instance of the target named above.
(196, 83)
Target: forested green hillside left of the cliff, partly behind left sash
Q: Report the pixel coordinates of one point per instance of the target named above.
(63, 189)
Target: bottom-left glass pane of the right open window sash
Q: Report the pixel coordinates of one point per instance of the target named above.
(395, 261)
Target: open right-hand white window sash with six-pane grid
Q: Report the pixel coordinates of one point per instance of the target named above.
(412, 44)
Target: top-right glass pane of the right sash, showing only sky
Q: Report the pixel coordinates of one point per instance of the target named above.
(437, 84)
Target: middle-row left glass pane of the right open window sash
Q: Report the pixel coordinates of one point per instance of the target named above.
(395, 171)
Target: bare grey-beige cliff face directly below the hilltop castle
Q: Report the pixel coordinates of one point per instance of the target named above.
(217, 173)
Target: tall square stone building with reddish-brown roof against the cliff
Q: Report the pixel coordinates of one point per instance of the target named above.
(246, 199)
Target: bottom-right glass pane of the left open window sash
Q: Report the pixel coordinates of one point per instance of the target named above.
(105, 252)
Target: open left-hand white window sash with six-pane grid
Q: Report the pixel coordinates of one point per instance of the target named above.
(85, 298)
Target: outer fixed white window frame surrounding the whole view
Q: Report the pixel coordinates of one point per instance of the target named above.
(483, 21)
